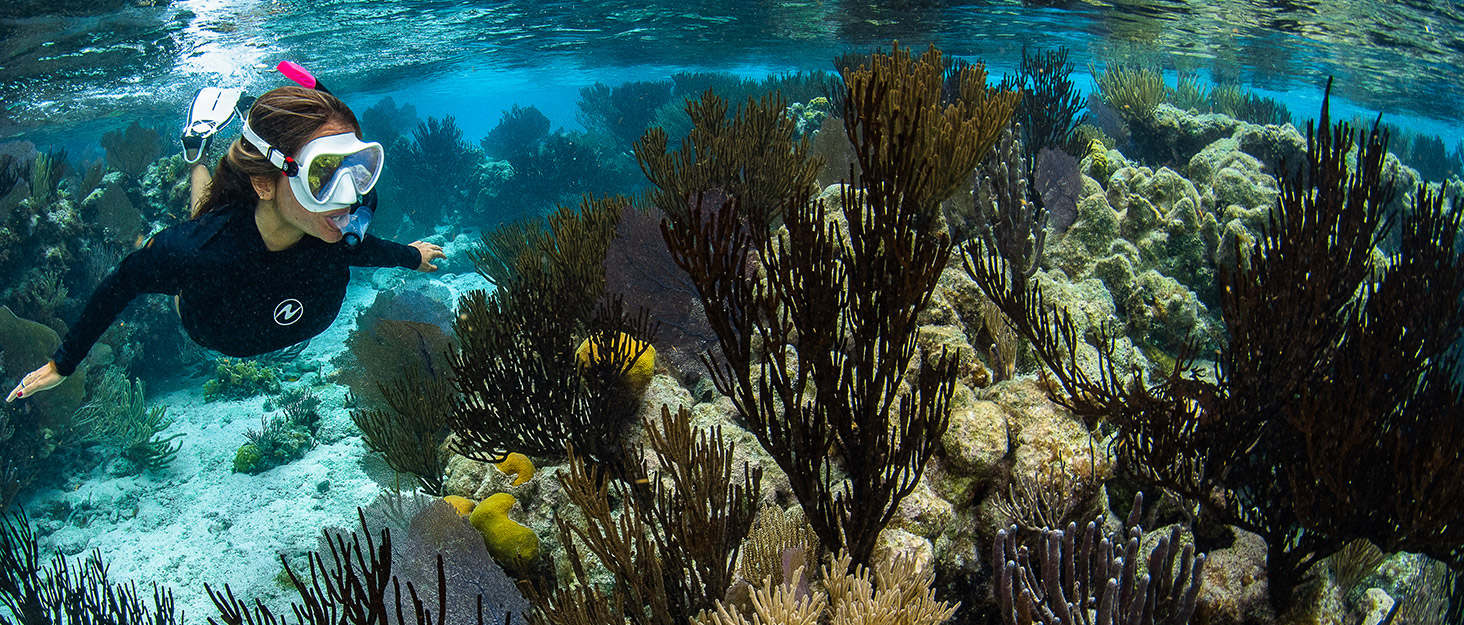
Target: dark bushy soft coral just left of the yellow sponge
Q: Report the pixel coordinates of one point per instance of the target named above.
(523, 387)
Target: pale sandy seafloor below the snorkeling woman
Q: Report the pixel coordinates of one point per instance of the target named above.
(198, 522)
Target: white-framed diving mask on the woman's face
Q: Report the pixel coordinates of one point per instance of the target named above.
(332, 172)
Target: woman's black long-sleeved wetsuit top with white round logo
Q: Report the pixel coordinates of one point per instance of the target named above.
(235, 296)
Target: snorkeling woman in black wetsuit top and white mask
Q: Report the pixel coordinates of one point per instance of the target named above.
(261, 266)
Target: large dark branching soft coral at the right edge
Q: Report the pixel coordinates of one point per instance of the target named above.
(1295, 438)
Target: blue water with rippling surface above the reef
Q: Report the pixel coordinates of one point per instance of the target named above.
(67, 77)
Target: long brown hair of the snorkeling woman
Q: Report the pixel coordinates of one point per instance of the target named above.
(286, 118)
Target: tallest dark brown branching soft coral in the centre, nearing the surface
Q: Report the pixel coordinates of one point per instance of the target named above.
(840, 408)
